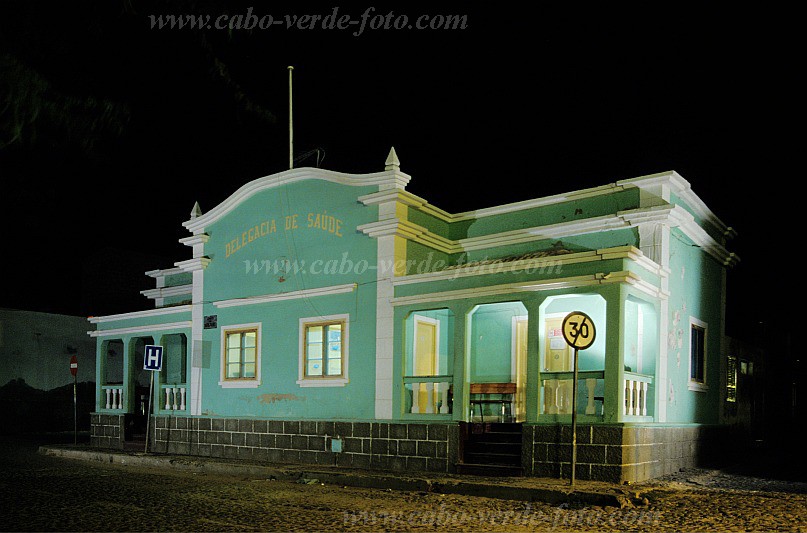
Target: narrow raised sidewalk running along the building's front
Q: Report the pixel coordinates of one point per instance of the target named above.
(548, 490)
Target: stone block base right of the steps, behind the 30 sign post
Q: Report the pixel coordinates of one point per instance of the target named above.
(617, 453)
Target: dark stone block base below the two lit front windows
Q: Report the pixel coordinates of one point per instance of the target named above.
(374, 445)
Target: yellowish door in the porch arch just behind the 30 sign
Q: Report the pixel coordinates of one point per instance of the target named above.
(557, 358)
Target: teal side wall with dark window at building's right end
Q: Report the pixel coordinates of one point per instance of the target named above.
(695, 286)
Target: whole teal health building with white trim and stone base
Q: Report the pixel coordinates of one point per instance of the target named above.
(338, 319)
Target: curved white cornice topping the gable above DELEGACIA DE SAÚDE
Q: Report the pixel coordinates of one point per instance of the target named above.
(389, 179)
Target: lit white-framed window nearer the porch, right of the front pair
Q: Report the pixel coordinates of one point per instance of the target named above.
(323, 351)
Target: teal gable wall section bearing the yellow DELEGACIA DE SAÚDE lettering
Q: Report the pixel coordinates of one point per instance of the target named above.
(288, 252)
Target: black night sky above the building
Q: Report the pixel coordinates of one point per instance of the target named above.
(111, 130)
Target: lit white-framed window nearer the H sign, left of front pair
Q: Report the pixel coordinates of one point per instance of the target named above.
(241, 356)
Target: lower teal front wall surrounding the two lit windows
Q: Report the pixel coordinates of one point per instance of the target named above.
(279, 395)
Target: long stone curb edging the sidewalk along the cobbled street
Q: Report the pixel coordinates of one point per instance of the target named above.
(365, 479)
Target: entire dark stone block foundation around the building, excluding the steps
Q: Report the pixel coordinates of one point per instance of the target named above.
(612, 453)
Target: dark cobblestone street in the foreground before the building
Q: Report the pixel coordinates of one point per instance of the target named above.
(42, 493)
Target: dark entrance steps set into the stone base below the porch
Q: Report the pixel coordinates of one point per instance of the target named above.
(491, 449)
